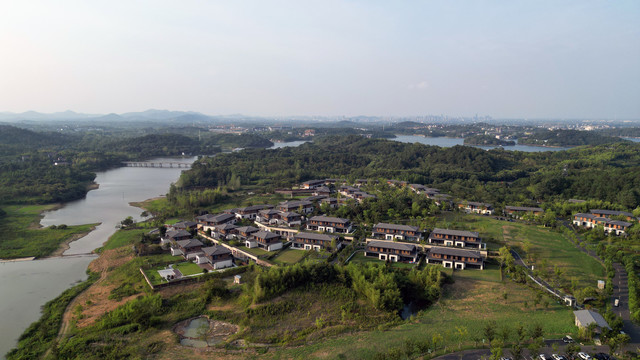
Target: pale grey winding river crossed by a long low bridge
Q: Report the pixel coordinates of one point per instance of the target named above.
(33, 283)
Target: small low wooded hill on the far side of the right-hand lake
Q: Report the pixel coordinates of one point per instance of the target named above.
(566, 138)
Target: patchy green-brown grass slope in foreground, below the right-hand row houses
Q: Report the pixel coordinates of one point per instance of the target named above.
(469, 303)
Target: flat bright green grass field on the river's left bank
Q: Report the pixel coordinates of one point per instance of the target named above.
(21, 236)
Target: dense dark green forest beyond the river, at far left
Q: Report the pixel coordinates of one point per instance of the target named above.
(45, 167)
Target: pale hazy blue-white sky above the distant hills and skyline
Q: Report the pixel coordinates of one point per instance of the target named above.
(524, 59)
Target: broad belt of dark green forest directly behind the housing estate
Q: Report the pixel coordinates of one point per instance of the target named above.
(608, 172)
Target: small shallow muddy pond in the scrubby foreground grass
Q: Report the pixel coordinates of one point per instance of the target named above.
(201, 332)
